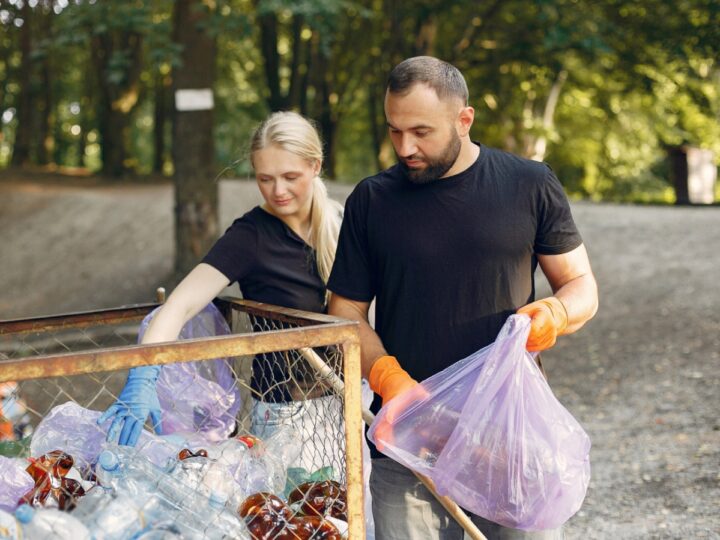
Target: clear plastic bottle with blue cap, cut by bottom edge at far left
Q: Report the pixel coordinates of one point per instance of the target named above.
(50, 524)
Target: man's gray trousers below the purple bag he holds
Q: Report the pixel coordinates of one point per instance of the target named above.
(404, 509)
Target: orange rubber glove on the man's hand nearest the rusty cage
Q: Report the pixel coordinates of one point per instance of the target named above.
(389, 380)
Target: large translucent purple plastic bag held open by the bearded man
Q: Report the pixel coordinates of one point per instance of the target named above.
(493, 437)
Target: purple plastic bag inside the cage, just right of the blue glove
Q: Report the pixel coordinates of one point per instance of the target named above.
(198, 396)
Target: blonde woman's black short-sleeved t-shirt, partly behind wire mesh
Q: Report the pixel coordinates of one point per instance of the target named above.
(272, 265)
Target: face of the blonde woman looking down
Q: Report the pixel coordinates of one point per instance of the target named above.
(285, 181)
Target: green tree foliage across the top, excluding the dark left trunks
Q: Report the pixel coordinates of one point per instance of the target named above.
(599, 89)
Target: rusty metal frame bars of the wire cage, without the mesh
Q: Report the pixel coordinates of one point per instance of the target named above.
(313, 330)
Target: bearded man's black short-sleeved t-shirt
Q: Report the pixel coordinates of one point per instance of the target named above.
(449, 261)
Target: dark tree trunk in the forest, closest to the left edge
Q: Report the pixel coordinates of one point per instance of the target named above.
(23, 134)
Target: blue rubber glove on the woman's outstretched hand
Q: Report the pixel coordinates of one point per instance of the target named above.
(136, 402)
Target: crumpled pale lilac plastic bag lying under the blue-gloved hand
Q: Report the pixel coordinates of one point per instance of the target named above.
(74, 430)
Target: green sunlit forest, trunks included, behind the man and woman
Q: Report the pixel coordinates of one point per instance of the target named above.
(606, 92)
